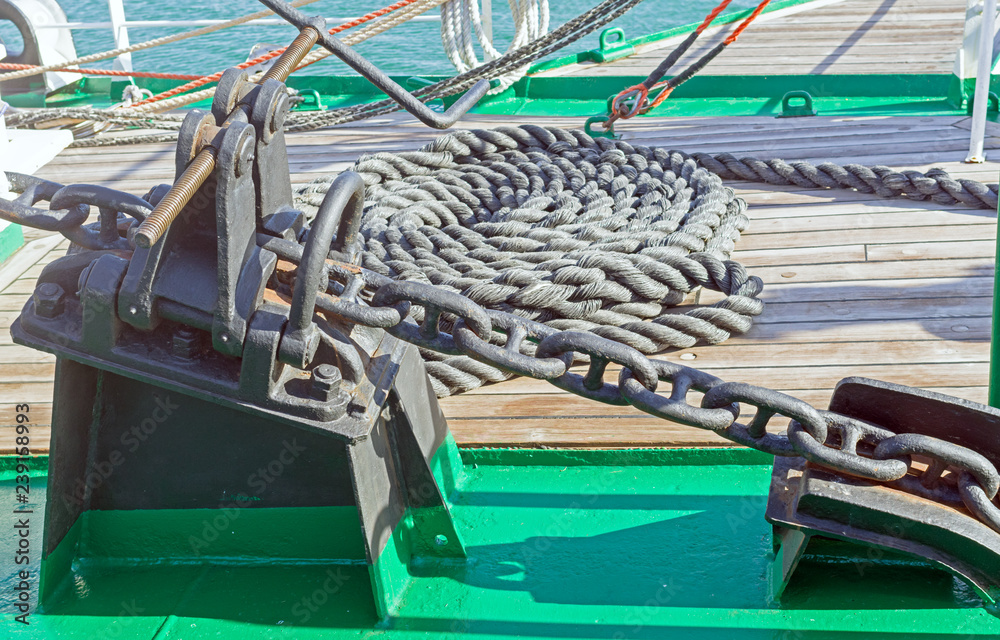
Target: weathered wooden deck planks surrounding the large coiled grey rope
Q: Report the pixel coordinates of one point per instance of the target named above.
(854, 284)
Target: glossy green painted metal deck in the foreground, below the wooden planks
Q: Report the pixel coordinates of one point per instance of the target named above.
(647, 544)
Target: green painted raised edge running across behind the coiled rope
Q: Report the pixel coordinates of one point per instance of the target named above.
(704, 95)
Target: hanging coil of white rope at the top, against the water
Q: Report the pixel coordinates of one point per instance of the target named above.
(462, 28)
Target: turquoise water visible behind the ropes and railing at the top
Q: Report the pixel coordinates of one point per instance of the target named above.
(412, 47)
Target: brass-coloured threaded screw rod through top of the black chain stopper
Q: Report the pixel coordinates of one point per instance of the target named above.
(167, 210)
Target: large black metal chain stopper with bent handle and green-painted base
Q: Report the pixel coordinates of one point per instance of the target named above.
(209, 335)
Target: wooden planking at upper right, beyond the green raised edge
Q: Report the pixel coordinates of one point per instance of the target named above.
(821, 37)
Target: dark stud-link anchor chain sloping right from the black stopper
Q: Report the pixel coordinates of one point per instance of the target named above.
(923, 465)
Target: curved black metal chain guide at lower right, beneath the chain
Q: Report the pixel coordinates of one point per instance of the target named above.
(806, 500)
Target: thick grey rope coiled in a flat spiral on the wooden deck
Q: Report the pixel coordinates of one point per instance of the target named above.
(556, 226)
